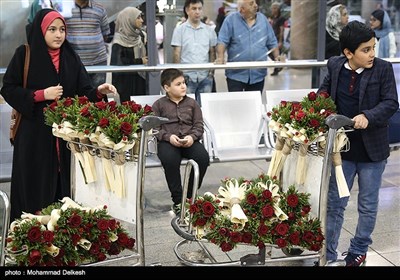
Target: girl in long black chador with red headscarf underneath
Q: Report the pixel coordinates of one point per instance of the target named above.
(42, 162)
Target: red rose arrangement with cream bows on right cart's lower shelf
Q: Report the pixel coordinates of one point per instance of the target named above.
(255, 212)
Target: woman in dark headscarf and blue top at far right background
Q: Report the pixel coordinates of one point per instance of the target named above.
(385, 41)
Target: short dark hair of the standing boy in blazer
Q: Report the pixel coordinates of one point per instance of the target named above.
(354, 34)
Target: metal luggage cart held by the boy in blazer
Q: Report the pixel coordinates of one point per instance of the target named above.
(193, 252)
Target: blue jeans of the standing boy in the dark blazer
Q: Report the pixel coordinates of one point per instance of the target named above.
(369, 183)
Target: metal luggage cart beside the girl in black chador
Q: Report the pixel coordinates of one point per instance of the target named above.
(130, 210)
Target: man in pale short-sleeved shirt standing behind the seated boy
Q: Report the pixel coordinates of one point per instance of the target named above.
(194, 42)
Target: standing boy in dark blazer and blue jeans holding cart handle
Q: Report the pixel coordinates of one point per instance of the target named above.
(364, 89)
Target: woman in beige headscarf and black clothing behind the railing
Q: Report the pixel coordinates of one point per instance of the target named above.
(129, 48)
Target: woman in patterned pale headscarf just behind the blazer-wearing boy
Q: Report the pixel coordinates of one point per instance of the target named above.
(336, 19)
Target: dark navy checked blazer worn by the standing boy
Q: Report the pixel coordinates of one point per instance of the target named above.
(378, 101)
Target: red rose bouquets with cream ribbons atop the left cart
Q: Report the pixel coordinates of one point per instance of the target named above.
(101, 129)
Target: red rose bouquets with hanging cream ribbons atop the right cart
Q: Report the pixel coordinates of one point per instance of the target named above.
(302, 125)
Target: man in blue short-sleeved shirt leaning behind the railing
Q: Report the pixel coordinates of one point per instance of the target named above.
(242, 29)
